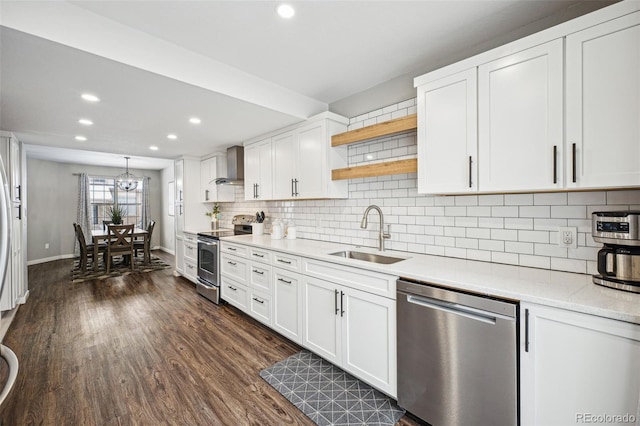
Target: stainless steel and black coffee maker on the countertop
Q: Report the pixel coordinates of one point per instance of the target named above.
(619, 259)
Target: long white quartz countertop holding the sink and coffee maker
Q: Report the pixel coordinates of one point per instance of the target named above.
(565, 290)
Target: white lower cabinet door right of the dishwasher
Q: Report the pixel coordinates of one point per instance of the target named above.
(577, 368)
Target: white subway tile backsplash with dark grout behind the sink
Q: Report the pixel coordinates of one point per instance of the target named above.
(516, 229)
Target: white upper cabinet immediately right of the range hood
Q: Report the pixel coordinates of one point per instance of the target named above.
(258, 172)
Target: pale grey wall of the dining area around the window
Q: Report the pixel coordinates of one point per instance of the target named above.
(52, 199)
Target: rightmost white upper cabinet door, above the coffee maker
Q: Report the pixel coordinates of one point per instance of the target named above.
(603, 105)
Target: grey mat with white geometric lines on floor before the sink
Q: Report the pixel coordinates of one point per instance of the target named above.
(328, 395)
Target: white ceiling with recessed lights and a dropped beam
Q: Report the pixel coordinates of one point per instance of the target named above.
(234, 64)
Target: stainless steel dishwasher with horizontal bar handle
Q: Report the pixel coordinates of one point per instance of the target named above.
(457, 356)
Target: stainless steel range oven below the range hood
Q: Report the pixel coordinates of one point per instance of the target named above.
(208, 284)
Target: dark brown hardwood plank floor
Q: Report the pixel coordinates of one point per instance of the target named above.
(143, 349)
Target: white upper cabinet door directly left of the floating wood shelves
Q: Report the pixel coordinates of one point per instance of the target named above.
(313, 173)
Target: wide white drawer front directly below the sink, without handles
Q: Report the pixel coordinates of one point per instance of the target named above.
(361, 279)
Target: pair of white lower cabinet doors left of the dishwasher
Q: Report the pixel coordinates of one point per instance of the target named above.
(353, 329)
